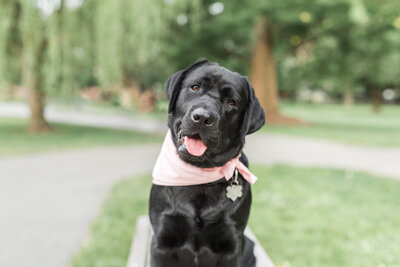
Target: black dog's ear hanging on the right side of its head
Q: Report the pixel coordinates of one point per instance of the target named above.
(254, 117)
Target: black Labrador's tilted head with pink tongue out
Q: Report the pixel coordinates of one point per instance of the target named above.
(211, 110)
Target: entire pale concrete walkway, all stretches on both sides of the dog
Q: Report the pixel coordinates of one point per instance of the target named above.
(48, 200)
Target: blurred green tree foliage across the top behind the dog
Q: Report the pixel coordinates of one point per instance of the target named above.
(336, 45)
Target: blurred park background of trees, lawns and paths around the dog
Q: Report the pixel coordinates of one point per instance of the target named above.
(83, 114)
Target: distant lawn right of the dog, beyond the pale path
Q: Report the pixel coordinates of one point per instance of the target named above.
(354, 124)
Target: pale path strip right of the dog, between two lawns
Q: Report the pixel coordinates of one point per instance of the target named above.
(271, 149)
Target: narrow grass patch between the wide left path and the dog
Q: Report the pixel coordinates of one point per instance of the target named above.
(110, 237)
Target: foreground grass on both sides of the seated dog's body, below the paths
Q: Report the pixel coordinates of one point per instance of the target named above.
(303, 217)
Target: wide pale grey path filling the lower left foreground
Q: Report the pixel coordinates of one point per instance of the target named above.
(47, 201)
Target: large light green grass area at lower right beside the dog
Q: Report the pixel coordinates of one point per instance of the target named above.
(317, 217)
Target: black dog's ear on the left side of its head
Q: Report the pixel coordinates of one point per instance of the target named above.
(174, 83)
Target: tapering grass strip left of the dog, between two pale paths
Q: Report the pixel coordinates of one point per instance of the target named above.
(14, 138)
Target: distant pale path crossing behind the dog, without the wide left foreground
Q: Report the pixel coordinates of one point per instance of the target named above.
(263, 148)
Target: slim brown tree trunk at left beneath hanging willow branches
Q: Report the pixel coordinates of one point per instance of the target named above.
(37, 122)
